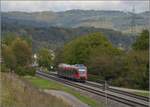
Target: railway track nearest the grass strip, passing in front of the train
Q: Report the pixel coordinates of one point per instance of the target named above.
(127, 100)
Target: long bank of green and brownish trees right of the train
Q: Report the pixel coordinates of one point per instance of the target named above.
(105, 62)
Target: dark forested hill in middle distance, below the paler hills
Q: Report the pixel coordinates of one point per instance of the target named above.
(54, 37)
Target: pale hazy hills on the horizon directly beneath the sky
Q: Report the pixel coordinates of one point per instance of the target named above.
(117, 20)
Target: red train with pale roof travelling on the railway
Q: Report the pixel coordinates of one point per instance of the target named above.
(76, 72)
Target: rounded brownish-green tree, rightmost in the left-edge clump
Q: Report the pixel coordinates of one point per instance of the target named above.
(22, 51)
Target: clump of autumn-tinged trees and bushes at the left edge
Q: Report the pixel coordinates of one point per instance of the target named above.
(17, 55)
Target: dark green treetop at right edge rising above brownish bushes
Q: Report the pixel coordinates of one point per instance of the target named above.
(142, 42)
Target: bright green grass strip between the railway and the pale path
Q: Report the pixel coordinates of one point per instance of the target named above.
(46, 84)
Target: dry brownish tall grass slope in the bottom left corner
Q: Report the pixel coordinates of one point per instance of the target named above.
(15, 92)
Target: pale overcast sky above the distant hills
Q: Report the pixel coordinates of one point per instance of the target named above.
(32, 6)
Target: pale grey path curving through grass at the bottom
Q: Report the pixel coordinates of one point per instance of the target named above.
(67, 98)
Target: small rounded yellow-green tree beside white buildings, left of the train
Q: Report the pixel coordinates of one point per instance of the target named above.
(44, 58)
